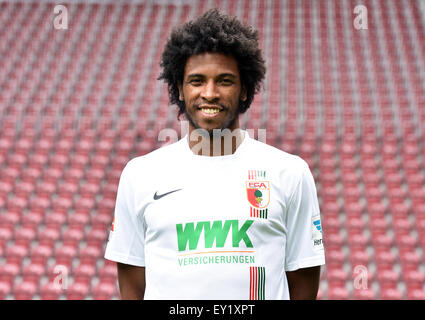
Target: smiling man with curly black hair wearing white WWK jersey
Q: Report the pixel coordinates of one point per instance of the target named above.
(216, 215)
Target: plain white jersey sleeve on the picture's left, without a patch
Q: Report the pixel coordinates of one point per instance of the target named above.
(126, 239)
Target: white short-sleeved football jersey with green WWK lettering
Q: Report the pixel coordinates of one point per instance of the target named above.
(224, 227)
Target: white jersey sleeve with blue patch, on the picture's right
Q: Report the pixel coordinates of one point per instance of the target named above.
(304, 245)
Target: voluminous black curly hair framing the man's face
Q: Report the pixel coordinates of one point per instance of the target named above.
(213, 32)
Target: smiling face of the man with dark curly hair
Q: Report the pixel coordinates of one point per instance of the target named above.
(212, 91)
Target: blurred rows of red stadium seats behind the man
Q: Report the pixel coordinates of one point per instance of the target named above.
(77, 104)
